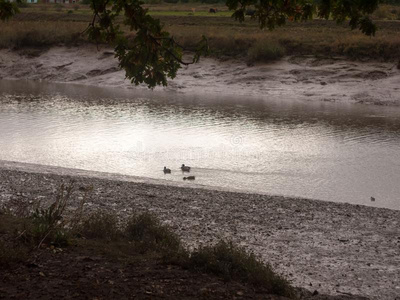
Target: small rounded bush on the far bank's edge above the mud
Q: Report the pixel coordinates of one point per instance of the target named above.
(265, 51)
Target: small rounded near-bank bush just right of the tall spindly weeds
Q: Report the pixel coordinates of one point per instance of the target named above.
(100, 225)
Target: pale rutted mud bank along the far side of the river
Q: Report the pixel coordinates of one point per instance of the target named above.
(304, 78)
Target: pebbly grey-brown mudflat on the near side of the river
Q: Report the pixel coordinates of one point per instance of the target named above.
(330, 247)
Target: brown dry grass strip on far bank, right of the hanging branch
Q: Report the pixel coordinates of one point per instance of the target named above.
(328, 39)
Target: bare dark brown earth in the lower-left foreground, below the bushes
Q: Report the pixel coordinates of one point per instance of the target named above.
(95, 270)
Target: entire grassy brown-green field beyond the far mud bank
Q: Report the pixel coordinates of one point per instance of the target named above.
(46, 25)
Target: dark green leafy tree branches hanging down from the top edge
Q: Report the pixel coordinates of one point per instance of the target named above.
(152, 55)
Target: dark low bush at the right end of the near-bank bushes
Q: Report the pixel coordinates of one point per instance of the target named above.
(231, 262)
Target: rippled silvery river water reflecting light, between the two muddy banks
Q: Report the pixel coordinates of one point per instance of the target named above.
(334, 152)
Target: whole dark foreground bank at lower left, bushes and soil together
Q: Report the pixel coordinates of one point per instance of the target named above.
(35, 239)
